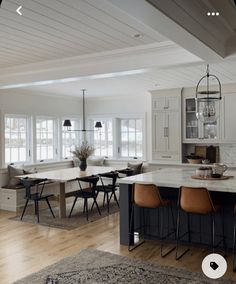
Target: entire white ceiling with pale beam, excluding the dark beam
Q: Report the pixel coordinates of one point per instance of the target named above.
(95, 35)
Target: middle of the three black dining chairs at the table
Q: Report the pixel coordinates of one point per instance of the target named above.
(86, 193)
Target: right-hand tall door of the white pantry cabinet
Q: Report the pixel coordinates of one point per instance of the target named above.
(173, 132)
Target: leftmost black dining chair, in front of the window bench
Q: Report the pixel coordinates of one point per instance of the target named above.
(35, 196)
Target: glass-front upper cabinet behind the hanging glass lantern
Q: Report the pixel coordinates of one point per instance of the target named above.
(194, 129)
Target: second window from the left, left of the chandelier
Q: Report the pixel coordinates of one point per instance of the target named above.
(45, 137)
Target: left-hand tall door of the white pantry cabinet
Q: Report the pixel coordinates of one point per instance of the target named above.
(159, 132)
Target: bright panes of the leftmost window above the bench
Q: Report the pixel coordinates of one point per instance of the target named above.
(16, 139)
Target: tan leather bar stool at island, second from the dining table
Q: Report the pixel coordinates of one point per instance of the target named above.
(196, 201)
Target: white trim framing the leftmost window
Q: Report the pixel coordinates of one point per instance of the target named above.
(28, 138)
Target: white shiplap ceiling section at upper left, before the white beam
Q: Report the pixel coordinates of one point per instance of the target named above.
(54, 29)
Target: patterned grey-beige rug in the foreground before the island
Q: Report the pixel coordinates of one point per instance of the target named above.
(91, 266)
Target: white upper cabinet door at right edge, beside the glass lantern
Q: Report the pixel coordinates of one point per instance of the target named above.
(229, 117)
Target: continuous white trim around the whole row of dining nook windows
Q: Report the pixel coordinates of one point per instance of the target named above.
(58, 132)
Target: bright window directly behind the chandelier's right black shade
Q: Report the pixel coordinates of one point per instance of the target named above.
(103, 141)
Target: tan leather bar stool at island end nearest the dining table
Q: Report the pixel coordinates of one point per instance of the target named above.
(147, 196)
